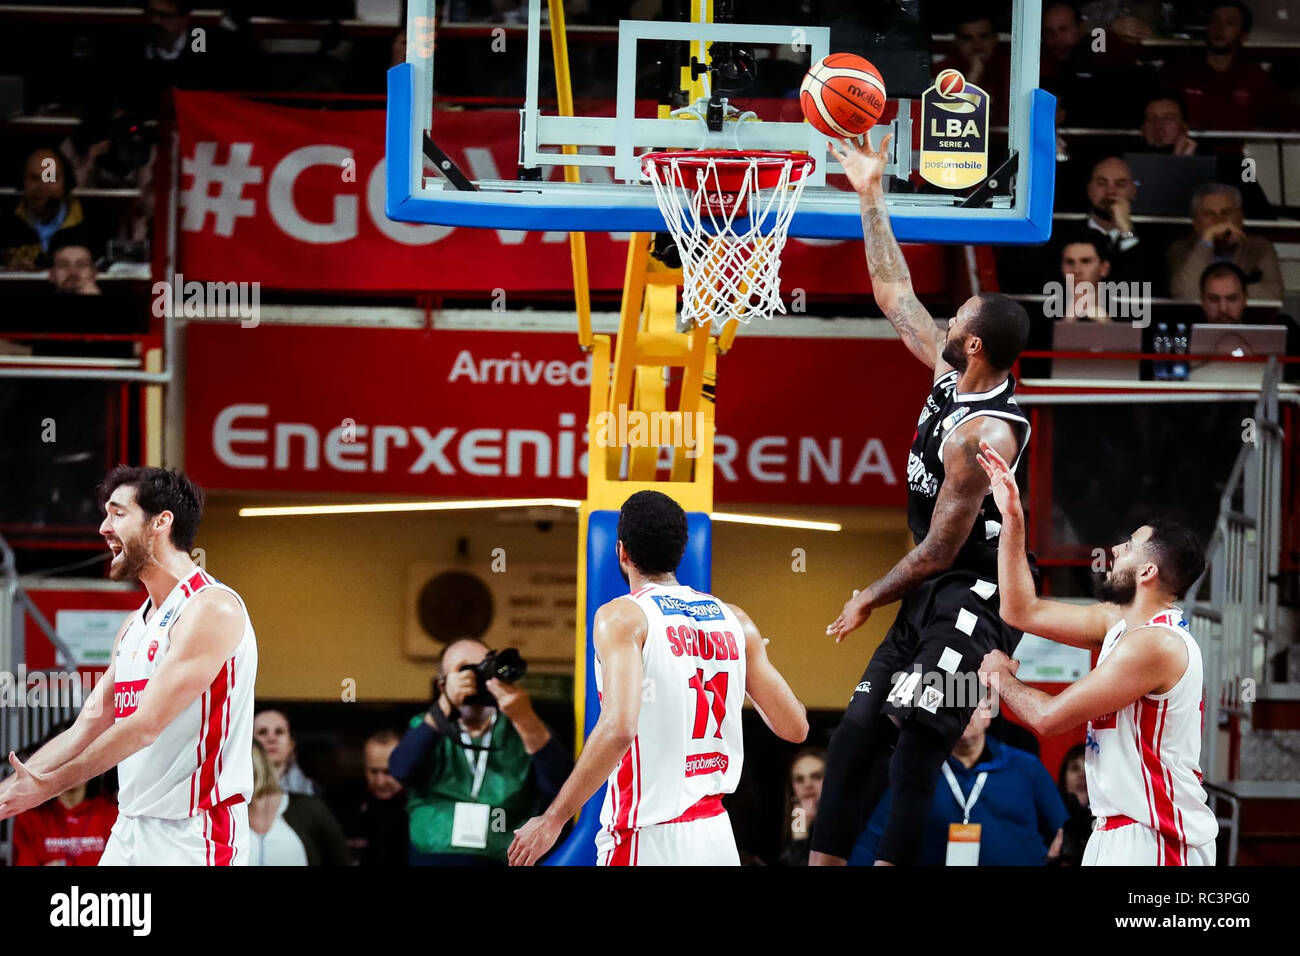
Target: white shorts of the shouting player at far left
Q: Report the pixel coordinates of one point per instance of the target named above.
(211, 838)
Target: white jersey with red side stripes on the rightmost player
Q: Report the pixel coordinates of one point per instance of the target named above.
(1145, 760)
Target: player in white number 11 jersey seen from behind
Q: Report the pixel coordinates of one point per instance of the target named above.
(674, 669)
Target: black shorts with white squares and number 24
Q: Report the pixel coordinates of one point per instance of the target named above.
(928, 668)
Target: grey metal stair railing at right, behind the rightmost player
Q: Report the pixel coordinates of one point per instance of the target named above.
(1233, 608)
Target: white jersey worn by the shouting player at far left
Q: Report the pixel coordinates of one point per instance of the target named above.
(203, 759)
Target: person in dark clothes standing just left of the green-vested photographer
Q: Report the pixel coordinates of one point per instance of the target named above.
(374, 815)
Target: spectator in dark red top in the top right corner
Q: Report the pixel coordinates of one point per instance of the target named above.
(1223, 88)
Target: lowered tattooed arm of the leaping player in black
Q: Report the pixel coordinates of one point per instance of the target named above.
(956, 508)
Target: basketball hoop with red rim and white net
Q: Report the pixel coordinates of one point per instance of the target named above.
(730, 214)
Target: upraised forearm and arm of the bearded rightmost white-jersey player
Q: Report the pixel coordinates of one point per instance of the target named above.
(1081, 626)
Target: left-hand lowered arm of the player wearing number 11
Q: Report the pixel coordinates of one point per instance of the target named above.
(619, 634)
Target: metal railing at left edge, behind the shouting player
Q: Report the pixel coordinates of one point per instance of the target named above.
(37, 702)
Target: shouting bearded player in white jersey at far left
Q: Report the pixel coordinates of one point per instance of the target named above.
(174, 713)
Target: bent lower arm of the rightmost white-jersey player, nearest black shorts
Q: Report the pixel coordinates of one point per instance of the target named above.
(1150, 660)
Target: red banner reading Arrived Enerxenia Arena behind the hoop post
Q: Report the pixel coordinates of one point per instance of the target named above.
(496, 414)
